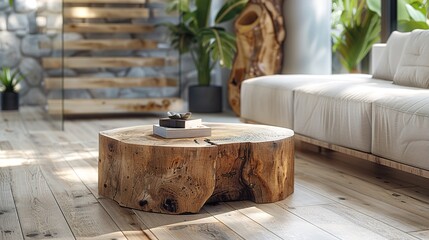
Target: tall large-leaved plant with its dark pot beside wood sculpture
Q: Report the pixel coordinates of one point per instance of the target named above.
(208, 44)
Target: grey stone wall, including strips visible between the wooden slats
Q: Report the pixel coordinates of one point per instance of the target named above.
(29, 23)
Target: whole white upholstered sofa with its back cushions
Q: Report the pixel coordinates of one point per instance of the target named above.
(382, 117)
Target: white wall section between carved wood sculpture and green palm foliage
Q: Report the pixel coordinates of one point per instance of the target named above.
(307, 48)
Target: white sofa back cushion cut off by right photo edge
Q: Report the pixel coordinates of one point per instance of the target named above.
(413, 68)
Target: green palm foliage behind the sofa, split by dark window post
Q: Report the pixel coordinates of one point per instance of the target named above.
(356, 25)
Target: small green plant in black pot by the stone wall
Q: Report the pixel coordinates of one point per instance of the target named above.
(9, 94)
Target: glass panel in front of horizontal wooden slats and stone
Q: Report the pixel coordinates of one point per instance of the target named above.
(116, 58)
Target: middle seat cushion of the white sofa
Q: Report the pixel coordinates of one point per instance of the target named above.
(340, 113)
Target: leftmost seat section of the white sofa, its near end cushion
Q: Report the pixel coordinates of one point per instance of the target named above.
(269, 99)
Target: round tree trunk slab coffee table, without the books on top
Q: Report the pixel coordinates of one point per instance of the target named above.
(238, 162)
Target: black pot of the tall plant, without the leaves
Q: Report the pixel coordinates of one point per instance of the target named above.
(205, 99)
